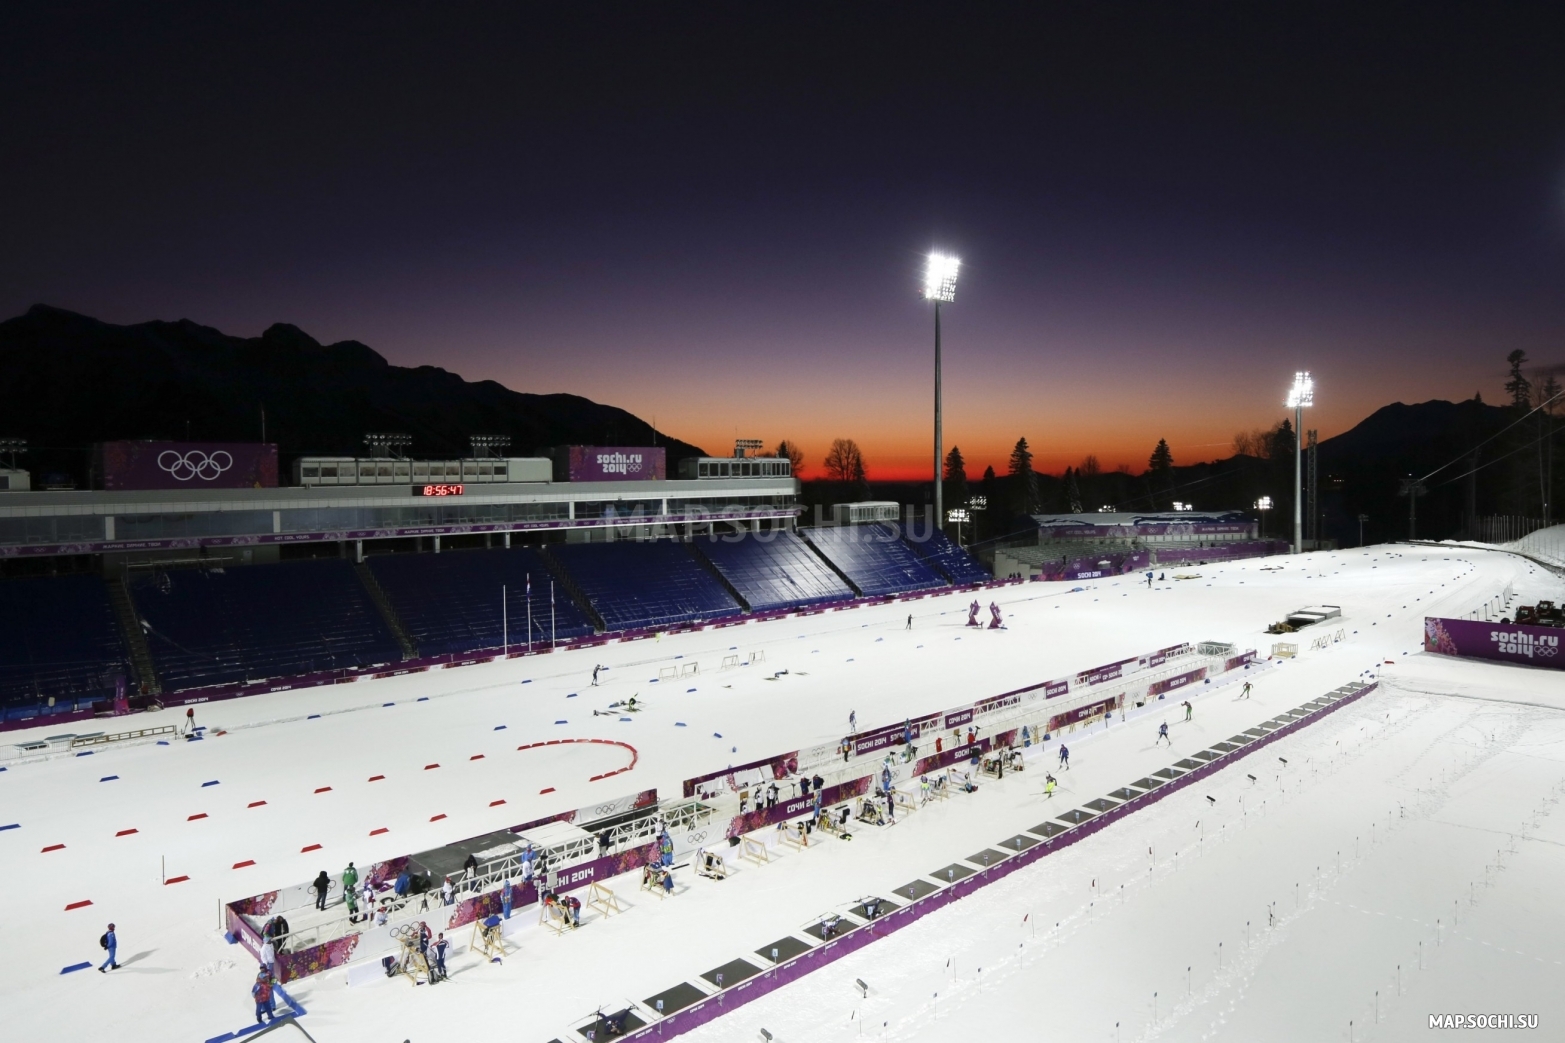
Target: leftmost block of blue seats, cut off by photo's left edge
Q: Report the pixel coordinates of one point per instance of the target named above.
(59, 640)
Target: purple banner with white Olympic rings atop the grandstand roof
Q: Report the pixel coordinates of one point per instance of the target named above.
(126, 466)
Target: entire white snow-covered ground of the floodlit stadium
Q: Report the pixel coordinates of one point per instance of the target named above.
(1437, 792)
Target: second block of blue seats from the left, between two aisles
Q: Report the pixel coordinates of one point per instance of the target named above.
(226, 626)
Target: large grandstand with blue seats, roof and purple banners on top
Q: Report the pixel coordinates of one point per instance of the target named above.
(190, 572)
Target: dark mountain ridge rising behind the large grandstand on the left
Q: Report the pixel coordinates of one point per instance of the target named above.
(73, 381)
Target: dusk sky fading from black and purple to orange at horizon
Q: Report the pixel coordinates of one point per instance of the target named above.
(718, 218)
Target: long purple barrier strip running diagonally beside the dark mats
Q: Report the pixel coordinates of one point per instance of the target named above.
(818, 958)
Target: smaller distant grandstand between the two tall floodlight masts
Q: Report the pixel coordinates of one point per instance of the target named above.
(1090, 546)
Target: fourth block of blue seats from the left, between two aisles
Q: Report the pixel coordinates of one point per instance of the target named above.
(635, 585)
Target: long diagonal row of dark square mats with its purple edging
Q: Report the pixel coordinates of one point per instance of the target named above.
(785, 961)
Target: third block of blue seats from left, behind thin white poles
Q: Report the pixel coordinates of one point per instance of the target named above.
(452, 602)
